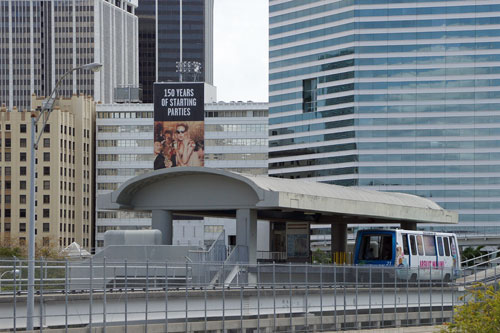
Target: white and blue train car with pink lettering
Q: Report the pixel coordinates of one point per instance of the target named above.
(420, 255)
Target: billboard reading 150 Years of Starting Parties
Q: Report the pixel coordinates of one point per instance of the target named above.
(179, 129)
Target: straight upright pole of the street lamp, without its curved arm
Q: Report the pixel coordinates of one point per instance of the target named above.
(30, 300)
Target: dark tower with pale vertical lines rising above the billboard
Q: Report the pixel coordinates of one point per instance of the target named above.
(160, 40)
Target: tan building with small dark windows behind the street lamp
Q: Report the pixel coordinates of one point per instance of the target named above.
(64, 169)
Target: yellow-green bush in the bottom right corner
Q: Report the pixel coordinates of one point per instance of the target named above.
(481, 313)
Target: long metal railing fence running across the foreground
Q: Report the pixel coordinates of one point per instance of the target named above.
(188, 296)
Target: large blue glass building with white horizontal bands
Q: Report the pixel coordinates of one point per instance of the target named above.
(393, 95)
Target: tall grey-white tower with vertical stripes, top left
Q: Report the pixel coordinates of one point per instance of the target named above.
(43, 39)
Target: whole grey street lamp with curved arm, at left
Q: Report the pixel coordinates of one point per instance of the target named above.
(47, 107)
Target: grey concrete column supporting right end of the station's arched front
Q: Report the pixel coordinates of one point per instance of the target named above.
(246, 232)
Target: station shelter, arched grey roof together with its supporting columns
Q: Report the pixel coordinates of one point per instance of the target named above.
(208, 192)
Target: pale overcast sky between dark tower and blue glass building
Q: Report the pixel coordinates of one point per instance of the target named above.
(241, 50)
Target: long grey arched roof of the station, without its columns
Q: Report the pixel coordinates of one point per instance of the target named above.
(208, 190)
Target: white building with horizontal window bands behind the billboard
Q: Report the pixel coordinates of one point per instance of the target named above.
(235, 139)
